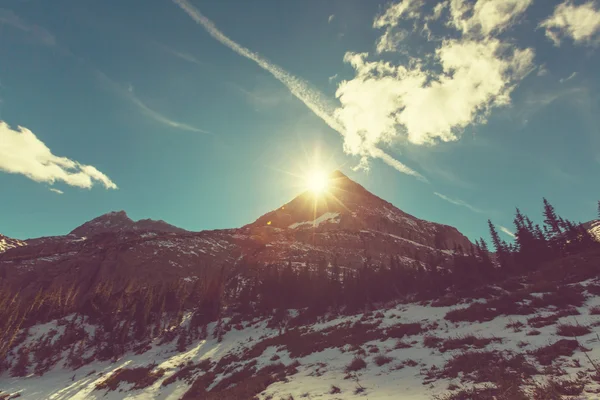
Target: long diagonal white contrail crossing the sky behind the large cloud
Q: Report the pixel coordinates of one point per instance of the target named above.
(311, 97)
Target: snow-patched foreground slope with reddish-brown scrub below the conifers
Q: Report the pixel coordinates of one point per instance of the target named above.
(410, 351)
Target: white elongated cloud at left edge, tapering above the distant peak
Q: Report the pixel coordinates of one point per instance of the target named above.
(21, 152)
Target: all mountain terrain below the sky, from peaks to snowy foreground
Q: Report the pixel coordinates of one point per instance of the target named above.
(297, 305)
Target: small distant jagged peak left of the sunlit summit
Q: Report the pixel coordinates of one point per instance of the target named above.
(119, 221)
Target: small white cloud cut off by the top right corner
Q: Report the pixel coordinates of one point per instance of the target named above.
(581, 23)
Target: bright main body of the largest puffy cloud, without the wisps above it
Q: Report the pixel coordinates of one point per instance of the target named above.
(382, 98)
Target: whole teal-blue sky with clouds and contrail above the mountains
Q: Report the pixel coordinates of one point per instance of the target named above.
(196, 112)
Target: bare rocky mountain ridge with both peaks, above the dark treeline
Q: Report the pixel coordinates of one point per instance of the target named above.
(348, 226)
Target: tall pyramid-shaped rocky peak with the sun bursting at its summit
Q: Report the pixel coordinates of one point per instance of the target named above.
(351, 225)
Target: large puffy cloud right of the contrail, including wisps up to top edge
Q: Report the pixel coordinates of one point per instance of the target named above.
(425, 104)
